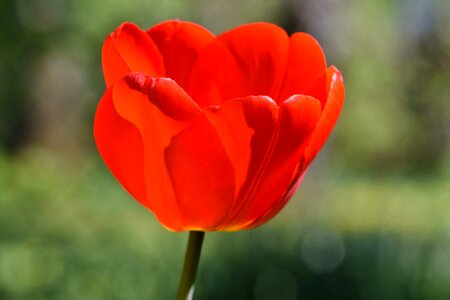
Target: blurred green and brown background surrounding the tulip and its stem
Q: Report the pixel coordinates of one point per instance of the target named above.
(370, 221)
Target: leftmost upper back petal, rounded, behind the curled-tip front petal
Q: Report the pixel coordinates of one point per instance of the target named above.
(130, 49)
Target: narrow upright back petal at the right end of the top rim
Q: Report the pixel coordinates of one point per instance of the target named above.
(306, 71)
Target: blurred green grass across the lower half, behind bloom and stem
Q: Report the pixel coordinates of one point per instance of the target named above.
(68, 231)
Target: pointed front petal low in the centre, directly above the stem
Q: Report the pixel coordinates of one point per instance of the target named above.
(202, 175)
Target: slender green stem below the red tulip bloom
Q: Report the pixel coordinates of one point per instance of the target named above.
(187, 281)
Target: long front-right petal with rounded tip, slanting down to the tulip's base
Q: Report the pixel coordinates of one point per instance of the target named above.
(297, 119)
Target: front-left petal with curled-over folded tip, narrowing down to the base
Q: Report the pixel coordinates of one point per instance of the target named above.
(159, 109)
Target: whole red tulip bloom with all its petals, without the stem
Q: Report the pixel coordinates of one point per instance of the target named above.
(214, 132)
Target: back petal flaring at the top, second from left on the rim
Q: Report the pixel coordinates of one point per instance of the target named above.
(179, 44)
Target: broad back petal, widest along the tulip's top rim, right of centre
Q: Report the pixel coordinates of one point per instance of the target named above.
(248, 60)
